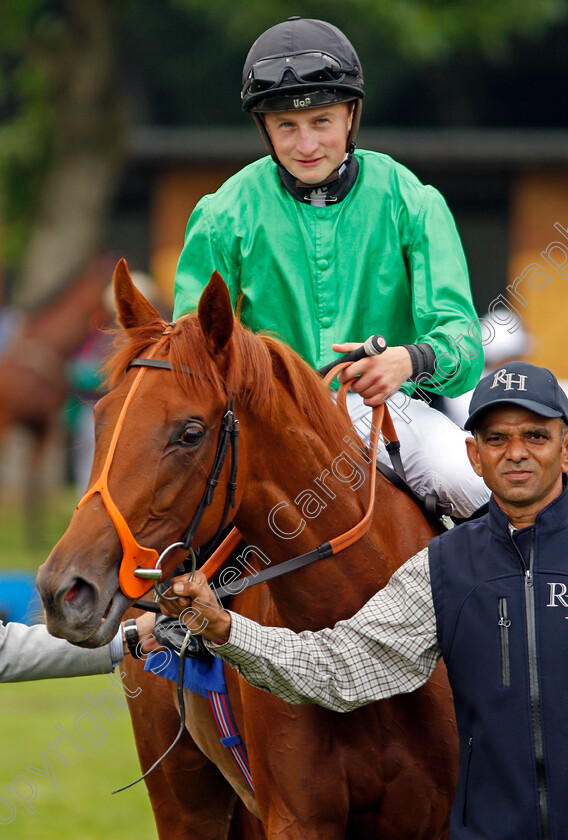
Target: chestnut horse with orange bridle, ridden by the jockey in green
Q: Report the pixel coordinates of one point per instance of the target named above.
(387, 770)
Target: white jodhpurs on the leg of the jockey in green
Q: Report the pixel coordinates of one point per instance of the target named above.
(432, 449)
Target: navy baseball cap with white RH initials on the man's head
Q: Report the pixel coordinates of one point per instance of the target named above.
(519, 383)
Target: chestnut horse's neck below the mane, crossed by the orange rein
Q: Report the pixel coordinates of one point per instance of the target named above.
(294, 500)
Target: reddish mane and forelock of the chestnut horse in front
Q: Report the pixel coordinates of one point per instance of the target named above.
(251, 362)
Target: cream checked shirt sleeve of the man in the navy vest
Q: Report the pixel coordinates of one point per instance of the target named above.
(388, 647)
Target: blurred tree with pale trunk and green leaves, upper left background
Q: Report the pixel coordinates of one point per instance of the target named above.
(62, 143)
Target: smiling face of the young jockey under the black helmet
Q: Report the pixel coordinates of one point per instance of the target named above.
(311, 143)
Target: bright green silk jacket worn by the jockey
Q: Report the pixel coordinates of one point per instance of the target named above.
(386, 259)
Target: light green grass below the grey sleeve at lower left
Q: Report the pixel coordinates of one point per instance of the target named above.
(82, 805)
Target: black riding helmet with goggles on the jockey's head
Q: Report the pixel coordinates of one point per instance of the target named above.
(299, 64)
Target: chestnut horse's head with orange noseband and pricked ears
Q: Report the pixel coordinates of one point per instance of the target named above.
(157, 435)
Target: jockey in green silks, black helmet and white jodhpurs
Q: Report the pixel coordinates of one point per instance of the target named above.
(325, 246)
